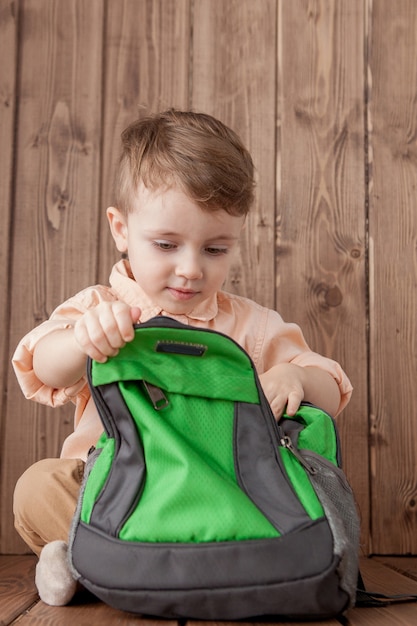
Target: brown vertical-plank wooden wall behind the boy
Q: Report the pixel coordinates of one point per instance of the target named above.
(324, 93)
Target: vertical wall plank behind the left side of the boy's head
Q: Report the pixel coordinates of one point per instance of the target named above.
(146, 70)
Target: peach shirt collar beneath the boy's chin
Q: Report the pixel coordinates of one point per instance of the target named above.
(128, 290)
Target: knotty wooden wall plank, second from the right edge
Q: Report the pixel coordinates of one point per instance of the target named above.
(321, 242)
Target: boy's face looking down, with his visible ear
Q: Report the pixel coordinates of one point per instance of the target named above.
(179, 254)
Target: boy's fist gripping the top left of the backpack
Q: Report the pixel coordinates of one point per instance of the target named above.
(102, 331)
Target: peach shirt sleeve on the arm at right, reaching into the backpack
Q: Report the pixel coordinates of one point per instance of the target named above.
(285, 342)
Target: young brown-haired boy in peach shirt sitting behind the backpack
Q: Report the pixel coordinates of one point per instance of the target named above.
(184, 187)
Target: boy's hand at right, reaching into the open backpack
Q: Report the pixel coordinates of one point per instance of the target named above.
(283, 386)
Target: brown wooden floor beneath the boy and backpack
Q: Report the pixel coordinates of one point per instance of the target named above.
(20, 604)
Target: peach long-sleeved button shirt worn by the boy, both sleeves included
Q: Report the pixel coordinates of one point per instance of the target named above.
(260, 331)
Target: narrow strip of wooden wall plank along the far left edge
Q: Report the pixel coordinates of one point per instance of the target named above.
(8, 52)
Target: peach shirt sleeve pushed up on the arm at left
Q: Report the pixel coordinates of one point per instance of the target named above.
(63, 317)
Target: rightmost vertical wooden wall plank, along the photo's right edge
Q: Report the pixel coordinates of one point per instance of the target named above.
(393, 298)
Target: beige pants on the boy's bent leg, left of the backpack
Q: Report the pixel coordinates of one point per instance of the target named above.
(45, 499)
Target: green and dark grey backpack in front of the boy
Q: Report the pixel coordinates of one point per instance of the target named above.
(196, 503)
